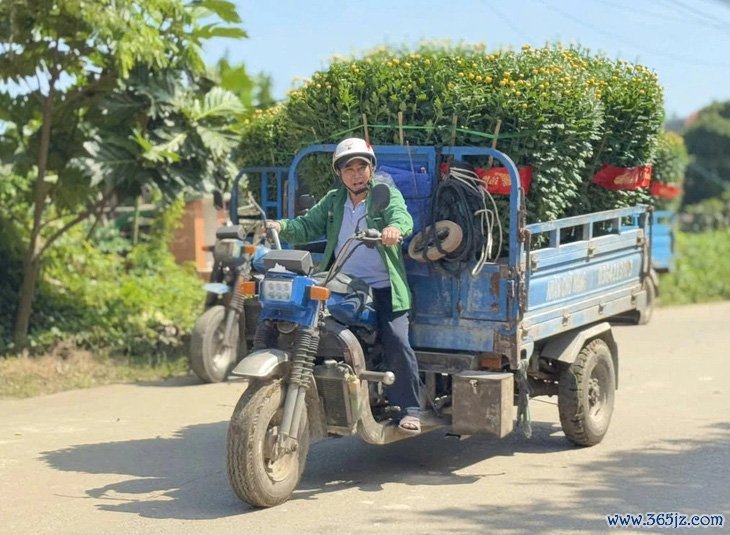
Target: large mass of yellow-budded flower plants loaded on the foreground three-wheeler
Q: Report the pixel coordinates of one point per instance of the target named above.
(560, 110)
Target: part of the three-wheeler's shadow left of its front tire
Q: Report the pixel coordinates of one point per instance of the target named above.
(179, 477)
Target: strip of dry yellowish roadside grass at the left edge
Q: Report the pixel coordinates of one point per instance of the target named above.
(69, 369)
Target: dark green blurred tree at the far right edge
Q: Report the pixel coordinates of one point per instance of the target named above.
(708, 142)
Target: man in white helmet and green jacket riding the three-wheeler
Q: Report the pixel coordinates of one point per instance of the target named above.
(338, 215)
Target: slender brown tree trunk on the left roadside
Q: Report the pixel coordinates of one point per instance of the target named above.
(31, 263)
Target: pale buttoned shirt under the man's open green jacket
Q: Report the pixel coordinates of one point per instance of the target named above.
(364, 263)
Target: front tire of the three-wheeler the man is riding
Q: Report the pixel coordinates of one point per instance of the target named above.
(252, 429)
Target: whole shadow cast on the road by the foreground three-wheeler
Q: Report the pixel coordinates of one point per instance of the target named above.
(184, 476)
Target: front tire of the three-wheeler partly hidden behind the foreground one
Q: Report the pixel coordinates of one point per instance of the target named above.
(208, 359)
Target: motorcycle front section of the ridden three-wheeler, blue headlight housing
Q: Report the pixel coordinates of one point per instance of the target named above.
(315, 370)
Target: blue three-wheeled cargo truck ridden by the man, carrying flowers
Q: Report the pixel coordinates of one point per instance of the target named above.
(533, 321)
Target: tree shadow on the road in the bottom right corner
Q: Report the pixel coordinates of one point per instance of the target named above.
(687, 476)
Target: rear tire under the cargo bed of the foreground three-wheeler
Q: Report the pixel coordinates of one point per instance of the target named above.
(586, 393)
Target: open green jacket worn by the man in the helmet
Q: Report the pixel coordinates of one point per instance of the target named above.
(325, 218)
